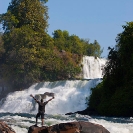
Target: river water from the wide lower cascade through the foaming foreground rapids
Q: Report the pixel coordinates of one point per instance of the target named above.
(18, 109)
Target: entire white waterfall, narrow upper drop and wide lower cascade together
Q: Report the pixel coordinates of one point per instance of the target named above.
(70, 96)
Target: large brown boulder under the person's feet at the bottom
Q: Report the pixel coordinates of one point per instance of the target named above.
(71, 127)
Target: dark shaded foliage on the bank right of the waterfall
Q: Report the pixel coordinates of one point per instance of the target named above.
(114, 96)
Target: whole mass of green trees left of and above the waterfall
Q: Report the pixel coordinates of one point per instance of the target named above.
(28, 54)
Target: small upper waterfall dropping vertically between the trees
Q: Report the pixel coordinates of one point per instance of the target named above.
(93, 67)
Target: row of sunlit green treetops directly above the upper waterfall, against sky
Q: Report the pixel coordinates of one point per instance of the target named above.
(73, 44)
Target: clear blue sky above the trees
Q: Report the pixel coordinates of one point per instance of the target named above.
(99, 20)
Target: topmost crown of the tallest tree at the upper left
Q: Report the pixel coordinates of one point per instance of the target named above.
(25, 12)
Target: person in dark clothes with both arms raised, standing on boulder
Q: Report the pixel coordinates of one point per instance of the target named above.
(41, 108)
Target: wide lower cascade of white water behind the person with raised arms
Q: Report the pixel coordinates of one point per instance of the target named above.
(70, 96)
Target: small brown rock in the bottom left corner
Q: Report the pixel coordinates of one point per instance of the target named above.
(4, 128)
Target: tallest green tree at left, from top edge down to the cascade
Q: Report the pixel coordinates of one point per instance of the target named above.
(25, 41)
